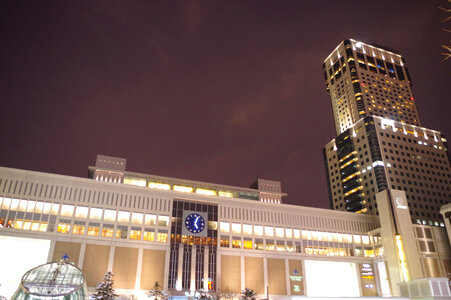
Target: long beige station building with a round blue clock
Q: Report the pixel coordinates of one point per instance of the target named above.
(189, 235)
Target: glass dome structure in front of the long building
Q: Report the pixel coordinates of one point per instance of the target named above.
(55, 280)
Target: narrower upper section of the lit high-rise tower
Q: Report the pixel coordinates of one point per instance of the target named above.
(365, 80)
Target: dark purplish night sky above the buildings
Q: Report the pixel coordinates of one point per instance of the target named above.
(217, 91)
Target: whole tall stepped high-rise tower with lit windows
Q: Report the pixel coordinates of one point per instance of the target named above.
(380, 143)
